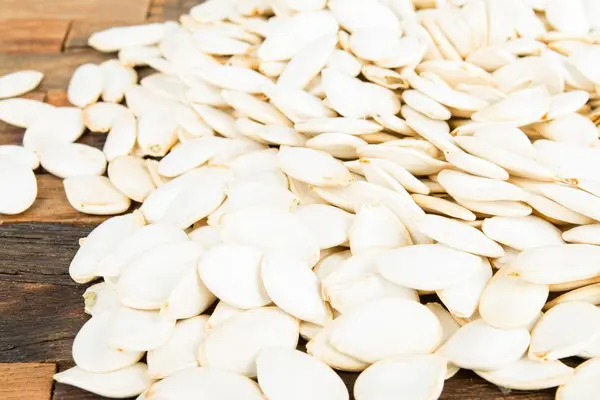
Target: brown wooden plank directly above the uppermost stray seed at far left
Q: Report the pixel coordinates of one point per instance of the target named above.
(57, 68)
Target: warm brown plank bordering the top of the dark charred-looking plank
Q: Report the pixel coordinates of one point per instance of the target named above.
(51, 205)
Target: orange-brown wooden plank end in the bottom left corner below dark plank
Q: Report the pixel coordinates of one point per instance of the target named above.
(26, 381)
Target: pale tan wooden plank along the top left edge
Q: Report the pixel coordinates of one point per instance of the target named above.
(75, 9)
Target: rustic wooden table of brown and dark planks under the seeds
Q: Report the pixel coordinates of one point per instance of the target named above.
(41, 309)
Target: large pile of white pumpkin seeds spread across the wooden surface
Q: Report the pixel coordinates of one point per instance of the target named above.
(318, 168)
